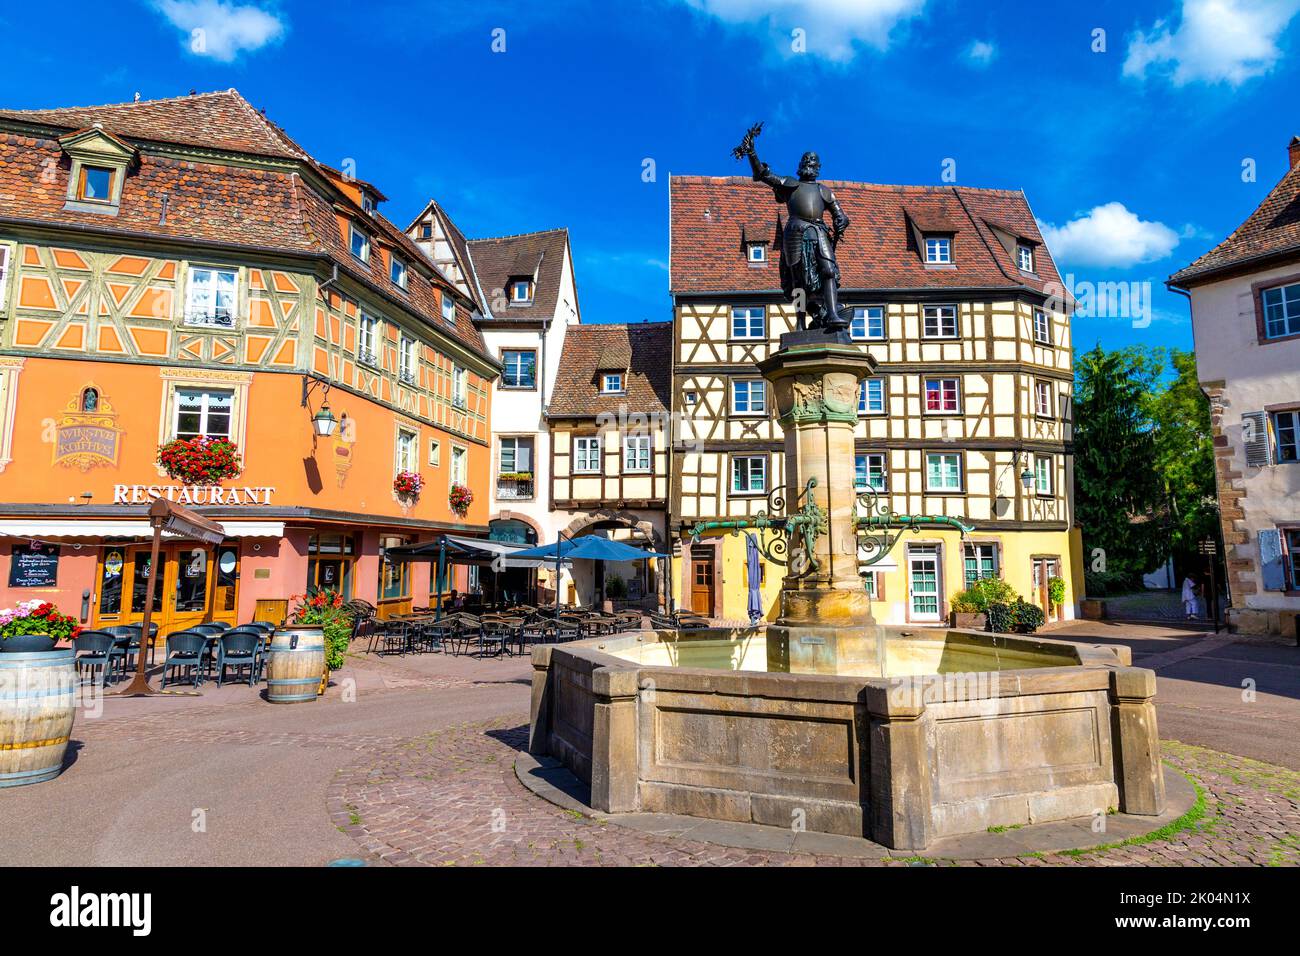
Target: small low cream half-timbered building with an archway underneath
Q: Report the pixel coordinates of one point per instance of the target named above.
(610, 443)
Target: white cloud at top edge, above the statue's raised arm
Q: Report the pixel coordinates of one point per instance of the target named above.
(833, 29)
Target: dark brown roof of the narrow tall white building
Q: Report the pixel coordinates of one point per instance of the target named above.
(534, 256)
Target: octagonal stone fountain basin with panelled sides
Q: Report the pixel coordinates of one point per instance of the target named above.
(899, 736)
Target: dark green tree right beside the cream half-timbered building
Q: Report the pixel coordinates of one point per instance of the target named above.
(1120, 496)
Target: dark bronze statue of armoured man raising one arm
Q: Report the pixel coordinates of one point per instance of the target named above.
(808, 245)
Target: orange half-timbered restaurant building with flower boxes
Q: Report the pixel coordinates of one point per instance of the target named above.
(181, 267)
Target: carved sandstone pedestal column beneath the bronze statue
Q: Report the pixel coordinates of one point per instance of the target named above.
(816, 387)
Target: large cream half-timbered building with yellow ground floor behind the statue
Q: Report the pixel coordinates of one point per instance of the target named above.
(968, 416)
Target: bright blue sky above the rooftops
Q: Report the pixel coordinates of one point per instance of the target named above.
(1136, 148)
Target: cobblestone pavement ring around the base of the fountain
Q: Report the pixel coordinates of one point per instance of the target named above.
(452, 799)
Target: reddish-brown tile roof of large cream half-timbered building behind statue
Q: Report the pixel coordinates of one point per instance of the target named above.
(712, 217)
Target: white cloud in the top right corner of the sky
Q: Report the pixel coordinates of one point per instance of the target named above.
(1215, 42)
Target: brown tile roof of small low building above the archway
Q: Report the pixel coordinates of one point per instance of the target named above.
(643, 351)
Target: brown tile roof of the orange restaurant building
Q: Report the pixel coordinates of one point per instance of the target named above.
(267, 209)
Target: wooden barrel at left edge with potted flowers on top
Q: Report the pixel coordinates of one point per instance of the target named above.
(38, 702)
